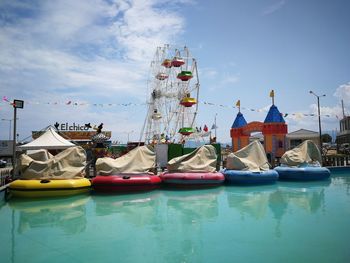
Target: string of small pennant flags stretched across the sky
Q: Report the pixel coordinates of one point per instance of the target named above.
(7, 101)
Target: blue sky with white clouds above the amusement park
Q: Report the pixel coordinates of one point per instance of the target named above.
(89, 61)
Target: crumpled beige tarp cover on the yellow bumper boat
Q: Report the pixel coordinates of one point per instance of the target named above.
(67, 164)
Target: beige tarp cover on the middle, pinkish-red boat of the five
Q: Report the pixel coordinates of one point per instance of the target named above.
(203, 159)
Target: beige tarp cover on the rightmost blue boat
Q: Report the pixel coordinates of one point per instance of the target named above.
(306, 153)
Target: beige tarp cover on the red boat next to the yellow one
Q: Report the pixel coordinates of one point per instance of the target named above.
(139, 160)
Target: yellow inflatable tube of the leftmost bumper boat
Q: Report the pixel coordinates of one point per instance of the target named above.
(49, 188)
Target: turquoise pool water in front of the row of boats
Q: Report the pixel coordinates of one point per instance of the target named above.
(286, 222)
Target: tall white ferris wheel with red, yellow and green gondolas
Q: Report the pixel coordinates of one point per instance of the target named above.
(173, 89)
